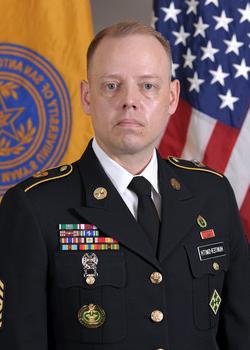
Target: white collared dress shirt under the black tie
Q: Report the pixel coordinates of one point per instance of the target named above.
(121, 178)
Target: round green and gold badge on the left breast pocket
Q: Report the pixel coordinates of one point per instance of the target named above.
(91, 316)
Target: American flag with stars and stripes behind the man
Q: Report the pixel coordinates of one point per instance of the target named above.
(210, 42)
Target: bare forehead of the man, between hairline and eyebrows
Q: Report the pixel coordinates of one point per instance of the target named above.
(140, 54)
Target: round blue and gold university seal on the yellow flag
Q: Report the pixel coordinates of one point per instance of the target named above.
(35, 114)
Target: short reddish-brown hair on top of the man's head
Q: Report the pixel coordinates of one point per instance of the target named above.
(123, 29)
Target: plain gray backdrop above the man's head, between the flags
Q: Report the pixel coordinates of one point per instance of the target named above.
(107, 12)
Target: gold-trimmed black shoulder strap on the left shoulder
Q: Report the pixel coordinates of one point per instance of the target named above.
(47, 175)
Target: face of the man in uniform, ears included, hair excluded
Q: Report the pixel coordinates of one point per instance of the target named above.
(129, 94)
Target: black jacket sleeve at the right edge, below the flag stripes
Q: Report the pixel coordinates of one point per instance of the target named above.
(234, 329)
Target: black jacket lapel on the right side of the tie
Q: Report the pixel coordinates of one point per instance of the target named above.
(180, 209)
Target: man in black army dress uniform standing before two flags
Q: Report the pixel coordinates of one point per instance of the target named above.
(90, 261)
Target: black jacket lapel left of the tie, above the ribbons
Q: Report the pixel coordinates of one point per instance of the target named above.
(110, 214)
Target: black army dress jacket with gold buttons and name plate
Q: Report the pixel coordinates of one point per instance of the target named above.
(204, 295)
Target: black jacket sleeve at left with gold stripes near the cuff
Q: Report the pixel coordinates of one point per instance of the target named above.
(23, 266)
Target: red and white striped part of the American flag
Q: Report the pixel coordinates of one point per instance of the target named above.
(191, 134)
